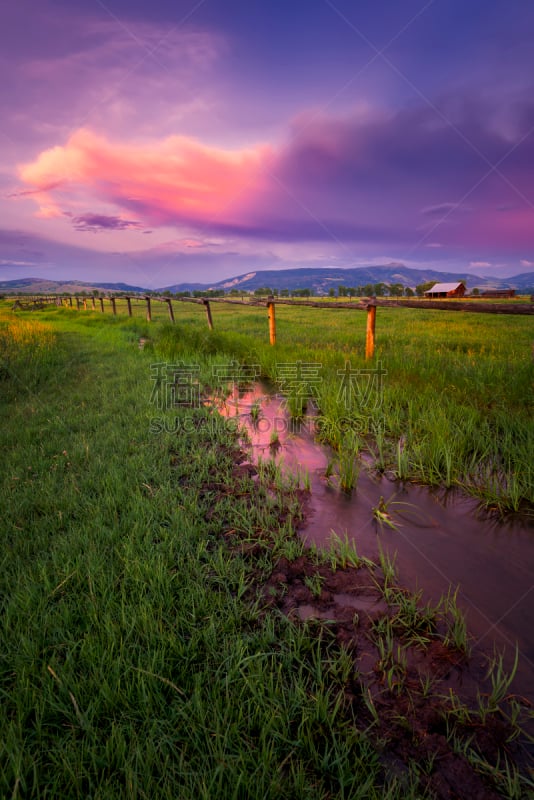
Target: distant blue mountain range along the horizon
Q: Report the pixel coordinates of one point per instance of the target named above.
(319, 280)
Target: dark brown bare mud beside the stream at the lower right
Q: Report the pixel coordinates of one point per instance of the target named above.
(409, 724)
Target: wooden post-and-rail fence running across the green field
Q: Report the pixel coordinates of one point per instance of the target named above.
(362, 304)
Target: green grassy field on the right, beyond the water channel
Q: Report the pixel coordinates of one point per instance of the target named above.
(455, 406)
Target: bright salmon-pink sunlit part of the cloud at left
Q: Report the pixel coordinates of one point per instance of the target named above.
(174, 180)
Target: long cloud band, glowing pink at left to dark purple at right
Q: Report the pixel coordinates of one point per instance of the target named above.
(343, 180)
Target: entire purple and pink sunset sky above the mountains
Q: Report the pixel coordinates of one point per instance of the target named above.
(175, 141)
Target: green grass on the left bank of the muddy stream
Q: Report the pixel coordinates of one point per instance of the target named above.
(133, 660)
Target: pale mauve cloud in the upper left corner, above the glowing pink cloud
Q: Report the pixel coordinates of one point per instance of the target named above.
(69, 66)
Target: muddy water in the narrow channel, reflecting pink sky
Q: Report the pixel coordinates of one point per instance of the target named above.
(439, 539)
